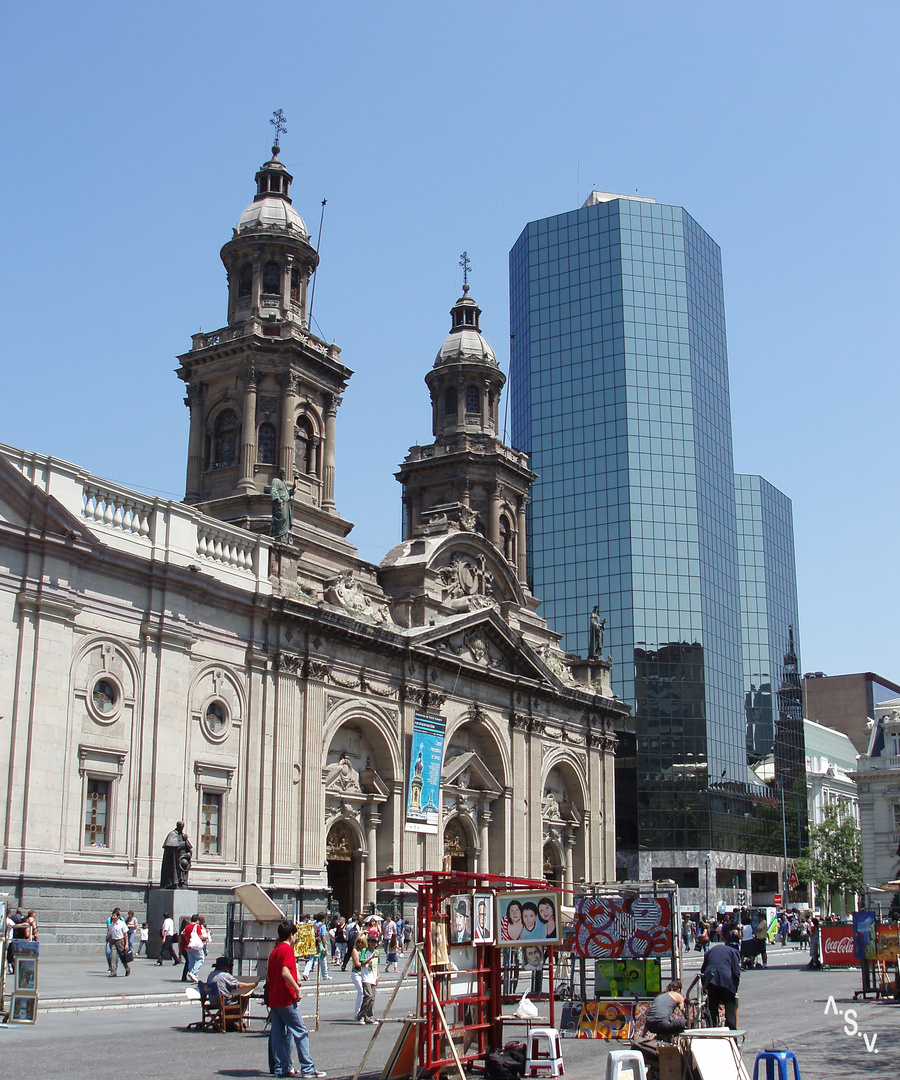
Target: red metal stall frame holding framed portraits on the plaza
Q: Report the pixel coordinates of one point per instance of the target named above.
(434, 888)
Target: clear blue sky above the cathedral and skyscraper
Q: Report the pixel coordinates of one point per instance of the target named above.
(132, 134)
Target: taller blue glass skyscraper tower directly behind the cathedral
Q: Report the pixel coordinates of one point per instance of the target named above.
(620, 393)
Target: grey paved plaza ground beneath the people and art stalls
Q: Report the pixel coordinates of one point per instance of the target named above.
(98, 1028)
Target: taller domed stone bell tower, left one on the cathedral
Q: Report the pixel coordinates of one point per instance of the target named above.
(264, 391)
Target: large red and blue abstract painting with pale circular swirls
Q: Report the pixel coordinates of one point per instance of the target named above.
(628, 927)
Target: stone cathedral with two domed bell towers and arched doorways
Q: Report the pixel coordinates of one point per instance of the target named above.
(167, 661)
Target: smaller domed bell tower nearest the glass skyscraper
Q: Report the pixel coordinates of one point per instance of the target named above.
(468, 477)
